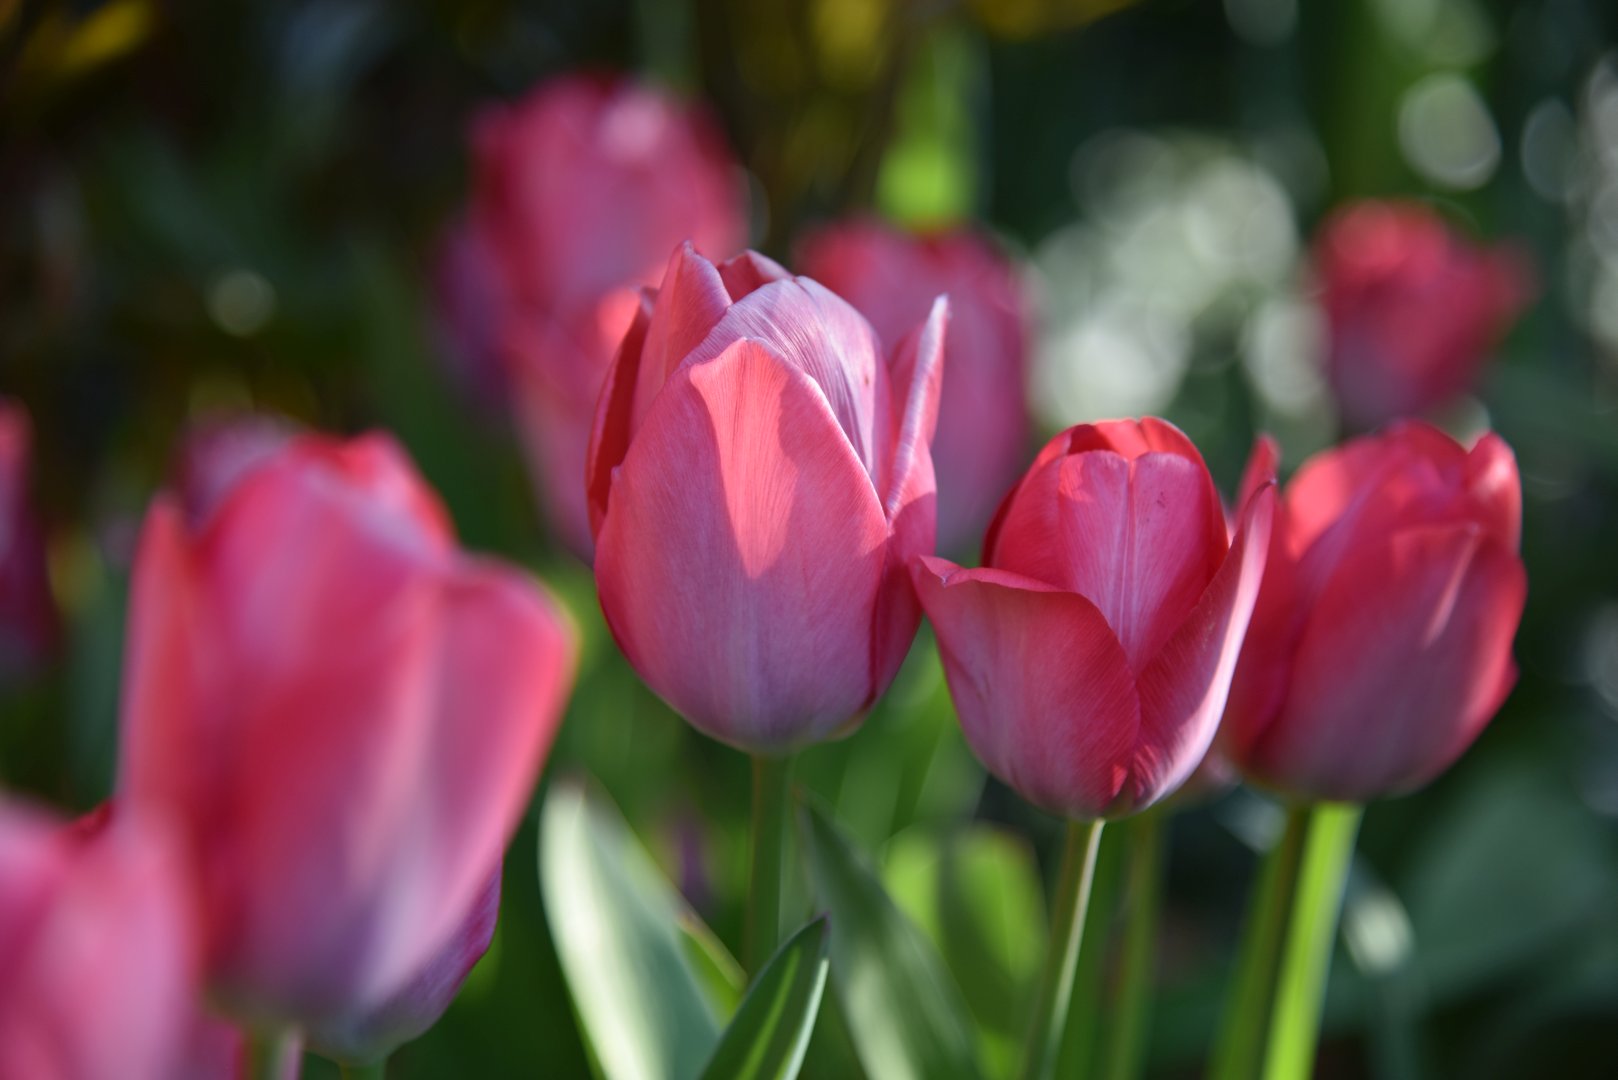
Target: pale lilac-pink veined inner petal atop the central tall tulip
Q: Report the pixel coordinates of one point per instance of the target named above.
(823, 336)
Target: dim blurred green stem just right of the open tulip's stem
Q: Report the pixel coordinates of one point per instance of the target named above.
(1145, 854)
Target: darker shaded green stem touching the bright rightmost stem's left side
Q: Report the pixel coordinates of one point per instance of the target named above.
(1239, 1053)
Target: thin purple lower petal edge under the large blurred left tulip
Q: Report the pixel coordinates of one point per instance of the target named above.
(375, 1034)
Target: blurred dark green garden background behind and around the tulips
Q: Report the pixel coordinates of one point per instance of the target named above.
(208, 206)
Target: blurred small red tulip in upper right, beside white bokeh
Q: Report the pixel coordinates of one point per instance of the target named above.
(1412, 307)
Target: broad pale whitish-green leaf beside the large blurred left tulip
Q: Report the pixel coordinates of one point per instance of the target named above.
(645, 1008)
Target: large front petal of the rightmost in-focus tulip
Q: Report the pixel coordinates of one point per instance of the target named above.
(1405, 660)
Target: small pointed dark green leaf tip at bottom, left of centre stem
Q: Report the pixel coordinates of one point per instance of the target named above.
(771, 1032)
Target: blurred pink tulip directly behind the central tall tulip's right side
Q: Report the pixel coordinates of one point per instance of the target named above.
(983, 414)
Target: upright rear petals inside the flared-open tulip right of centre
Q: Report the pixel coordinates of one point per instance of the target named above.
(1138, 538)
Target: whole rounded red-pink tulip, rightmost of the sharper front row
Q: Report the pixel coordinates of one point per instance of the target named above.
(1383, 639)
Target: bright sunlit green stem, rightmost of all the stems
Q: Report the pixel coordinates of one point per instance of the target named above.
(1307, 958)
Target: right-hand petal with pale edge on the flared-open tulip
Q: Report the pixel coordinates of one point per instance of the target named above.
(1185, 687)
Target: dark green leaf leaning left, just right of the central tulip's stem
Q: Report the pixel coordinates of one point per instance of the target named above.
(905, 1014)
